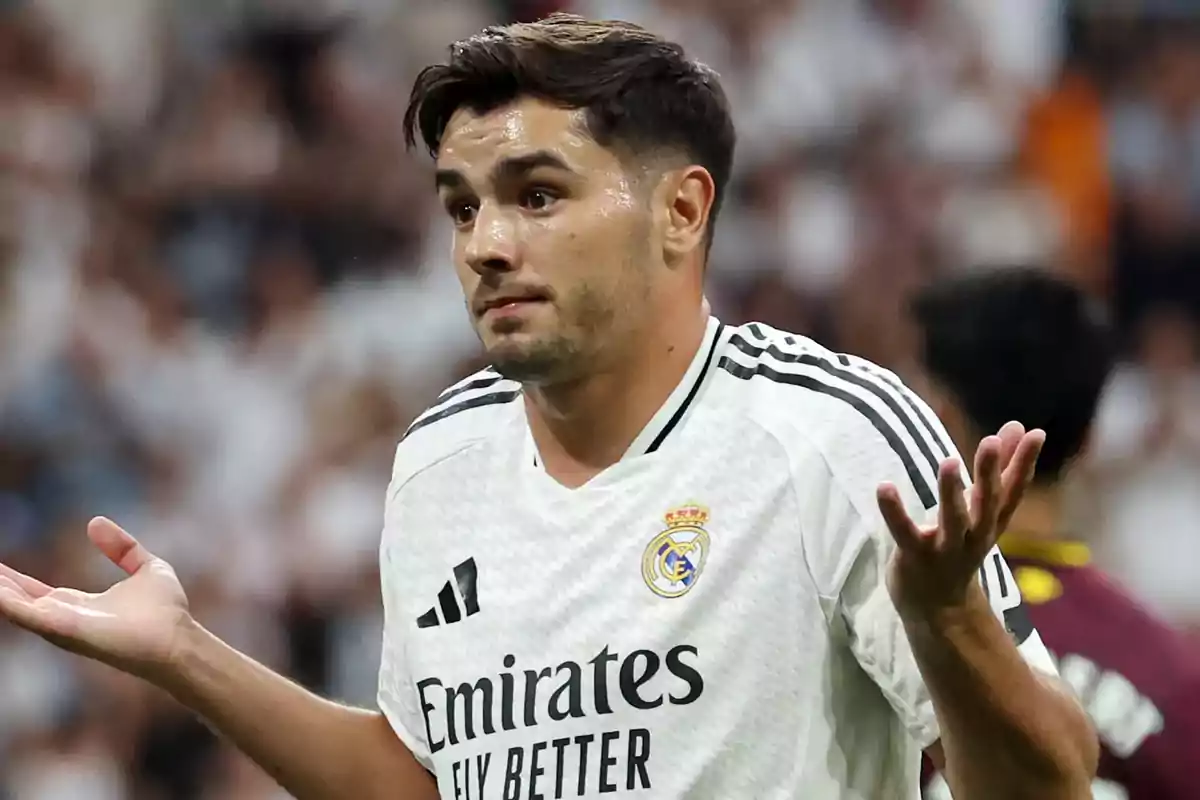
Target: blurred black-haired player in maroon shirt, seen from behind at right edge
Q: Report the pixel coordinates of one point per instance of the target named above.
(1022, 344)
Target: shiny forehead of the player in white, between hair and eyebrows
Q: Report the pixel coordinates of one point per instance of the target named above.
(475, 143)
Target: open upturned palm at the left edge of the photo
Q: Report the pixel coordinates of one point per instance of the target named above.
(134, 627)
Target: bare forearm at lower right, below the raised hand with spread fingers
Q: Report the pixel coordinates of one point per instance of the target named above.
(1007, 731)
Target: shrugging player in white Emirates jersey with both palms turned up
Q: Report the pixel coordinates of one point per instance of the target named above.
(646, 552)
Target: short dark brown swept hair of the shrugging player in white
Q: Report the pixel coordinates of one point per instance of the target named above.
(641, 94)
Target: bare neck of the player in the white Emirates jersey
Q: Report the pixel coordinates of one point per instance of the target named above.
(586, 426)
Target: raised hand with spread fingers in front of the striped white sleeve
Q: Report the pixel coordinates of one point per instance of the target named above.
(934, 569)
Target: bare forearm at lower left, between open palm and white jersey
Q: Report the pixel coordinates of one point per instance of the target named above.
(316, 749)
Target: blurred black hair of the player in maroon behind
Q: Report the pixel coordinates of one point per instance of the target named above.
(1018, 344)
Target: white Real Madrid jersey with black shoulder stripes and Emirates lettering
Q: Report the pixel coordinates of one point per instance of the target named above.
(707, 618)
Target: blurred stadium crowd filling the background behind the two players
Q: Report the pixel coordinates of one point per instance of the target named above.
(225, 290)
